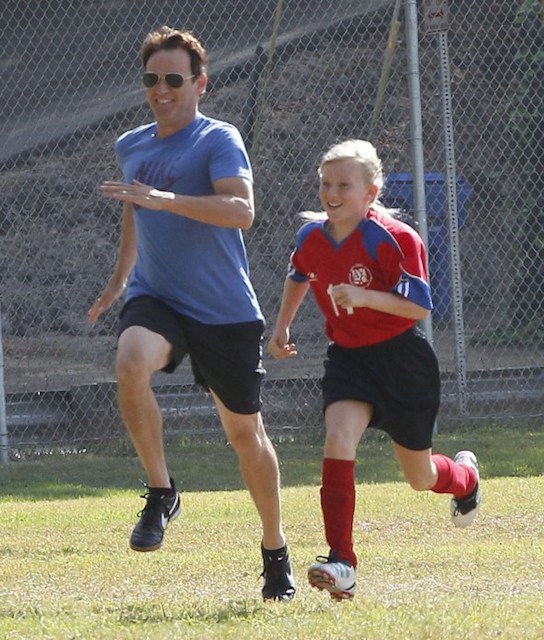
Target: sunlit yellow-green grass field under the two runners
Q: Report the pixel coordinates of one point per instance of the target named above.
(67, 571)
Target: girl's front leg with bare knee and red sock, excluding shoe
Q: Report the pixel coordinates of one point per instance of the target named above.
(346, 421)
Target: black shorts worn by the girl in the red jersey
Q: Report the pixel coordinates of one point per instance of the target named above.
(400, 378)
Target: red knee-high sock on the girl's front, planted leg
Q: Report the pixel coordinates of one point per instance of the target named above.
(338, 506)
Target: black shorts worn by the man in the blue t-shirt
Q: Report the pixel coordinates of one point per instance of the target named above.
(226, 359)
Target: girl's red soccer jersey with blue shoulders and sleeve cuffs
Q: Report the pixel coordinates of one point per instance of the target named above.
(382, 254)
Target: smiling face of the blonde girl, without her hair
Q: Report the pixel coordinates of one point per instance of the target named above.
(344, 193)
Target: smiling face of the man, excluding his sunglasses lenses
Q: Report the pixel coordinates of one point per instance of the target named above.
(173, 107)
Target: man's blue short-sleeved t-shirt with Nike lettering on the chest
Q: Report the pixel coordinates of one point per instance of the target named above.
(200, 270)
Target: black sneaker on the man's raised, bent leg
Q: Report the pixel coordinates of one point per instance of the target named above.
(159, 510)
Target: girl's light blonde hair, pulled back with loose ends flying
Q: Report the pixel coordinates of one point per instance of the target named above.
(365, 154)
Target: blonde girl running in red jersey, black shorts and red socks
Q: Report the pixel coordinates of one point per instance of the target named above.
(368, 272)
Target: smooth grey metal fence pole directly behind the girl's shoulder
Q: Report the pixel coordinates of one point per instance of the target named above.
(418, 172)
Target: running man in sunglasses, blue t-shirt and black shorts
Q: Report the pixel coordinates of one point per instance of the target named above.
(182, 267)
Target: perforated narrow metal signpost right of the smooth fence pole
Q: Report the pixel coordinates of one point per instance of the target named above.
(451, 192)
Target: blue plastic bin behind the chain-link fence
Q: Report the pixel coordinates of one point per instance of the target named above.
(399, 194)
